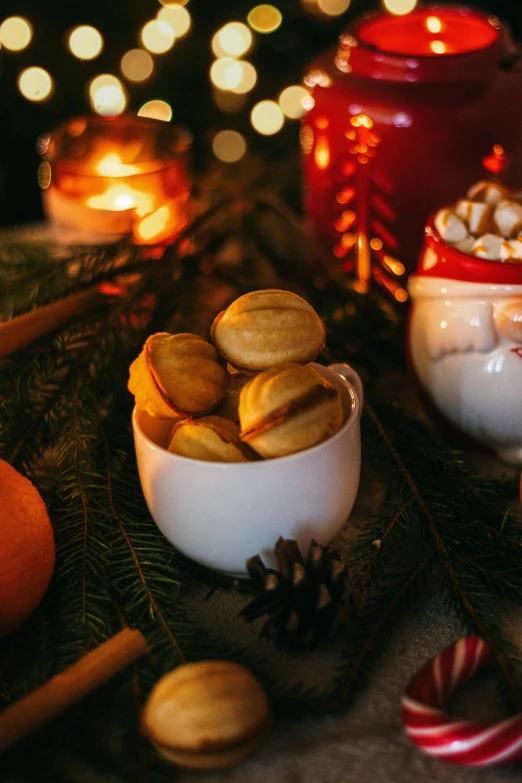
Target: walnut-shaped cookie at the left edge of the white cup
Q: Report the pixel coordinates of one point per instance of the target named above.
(178, 374)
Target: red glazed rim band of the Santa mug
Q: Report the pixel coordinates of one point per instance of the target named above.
(438, 259)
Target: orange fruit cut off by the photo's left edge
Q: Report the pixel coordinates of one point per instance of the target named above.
(27, 553)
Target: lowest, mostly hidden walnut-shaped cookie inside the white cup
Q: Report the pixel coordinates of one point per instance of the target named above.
(211, 438)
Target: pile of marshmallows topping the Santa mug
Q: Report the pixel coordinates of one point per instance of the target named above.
(487, 223)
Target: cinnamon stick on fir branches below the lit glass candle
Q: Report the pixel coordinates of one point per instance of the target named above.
(22, 330)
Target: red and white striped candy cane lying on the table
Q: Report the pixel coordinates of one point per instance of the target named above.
(447, 737)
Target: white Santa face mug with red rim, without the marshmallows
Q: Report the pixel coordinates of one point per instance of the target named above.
(465, 342)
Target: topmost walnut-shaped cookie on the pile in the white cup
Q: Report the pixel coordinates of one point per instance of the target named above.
(265, 328)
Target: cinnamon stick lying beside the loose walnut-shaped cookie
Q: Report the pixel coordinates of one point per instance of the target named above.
(54, 697)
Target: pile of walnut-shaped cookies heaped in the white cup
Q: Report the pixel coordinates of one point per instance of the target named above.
(251, 393)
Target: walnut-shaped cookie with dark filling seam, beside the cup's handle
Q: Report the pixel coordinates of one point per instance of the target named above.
(287, 409)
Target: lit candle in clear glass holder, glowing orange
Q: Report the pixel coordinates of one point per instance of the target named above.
(110, 177)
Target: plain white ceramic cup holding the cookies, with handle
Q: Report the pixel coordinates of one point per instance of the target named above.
(220, 514)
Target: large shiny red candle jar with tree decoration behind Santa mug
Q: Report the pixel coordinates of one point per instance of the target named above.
(405, 115)
